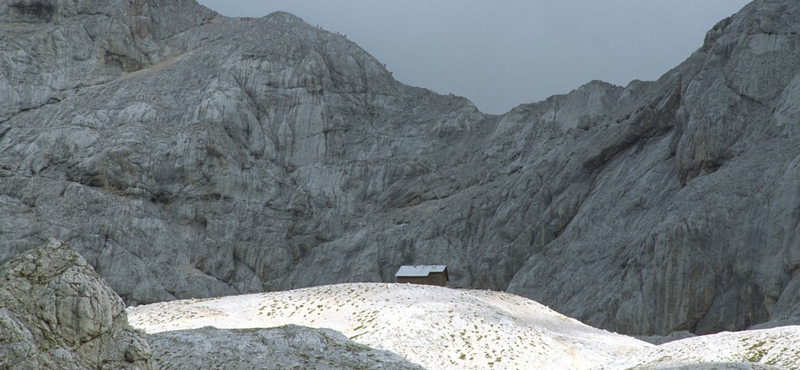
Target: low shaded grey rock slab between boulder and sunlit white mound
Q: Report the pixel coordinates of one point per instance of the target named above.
(288, 347)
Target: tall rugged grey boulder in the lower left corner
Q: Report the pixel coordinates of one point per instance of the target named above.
(57, 313)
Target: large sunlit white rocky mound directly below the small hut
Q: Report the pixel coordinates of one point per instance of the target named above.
(436, 327)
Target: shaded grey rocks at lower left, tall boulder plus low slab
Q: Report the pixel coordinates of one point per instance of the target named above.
(57, 313)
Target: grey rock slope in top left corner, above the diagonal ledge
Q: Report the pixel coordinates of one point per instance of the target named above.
(50, 48)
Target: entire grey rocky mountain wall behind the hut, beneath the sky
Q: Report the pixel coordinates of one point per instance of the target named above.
(205, 156)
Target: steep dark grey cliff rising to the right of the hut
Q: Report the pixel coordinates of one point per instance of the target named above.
(686, 215)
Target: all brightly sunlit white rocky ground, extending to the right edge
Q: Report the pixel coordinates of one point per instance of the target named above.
(442, 328)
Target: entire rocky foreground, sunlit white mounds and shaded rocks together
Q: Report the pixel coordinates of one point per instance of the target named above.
(57, 313)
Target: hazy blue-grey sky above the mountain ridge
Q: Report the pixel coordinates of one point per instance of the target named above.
(503, 53)
